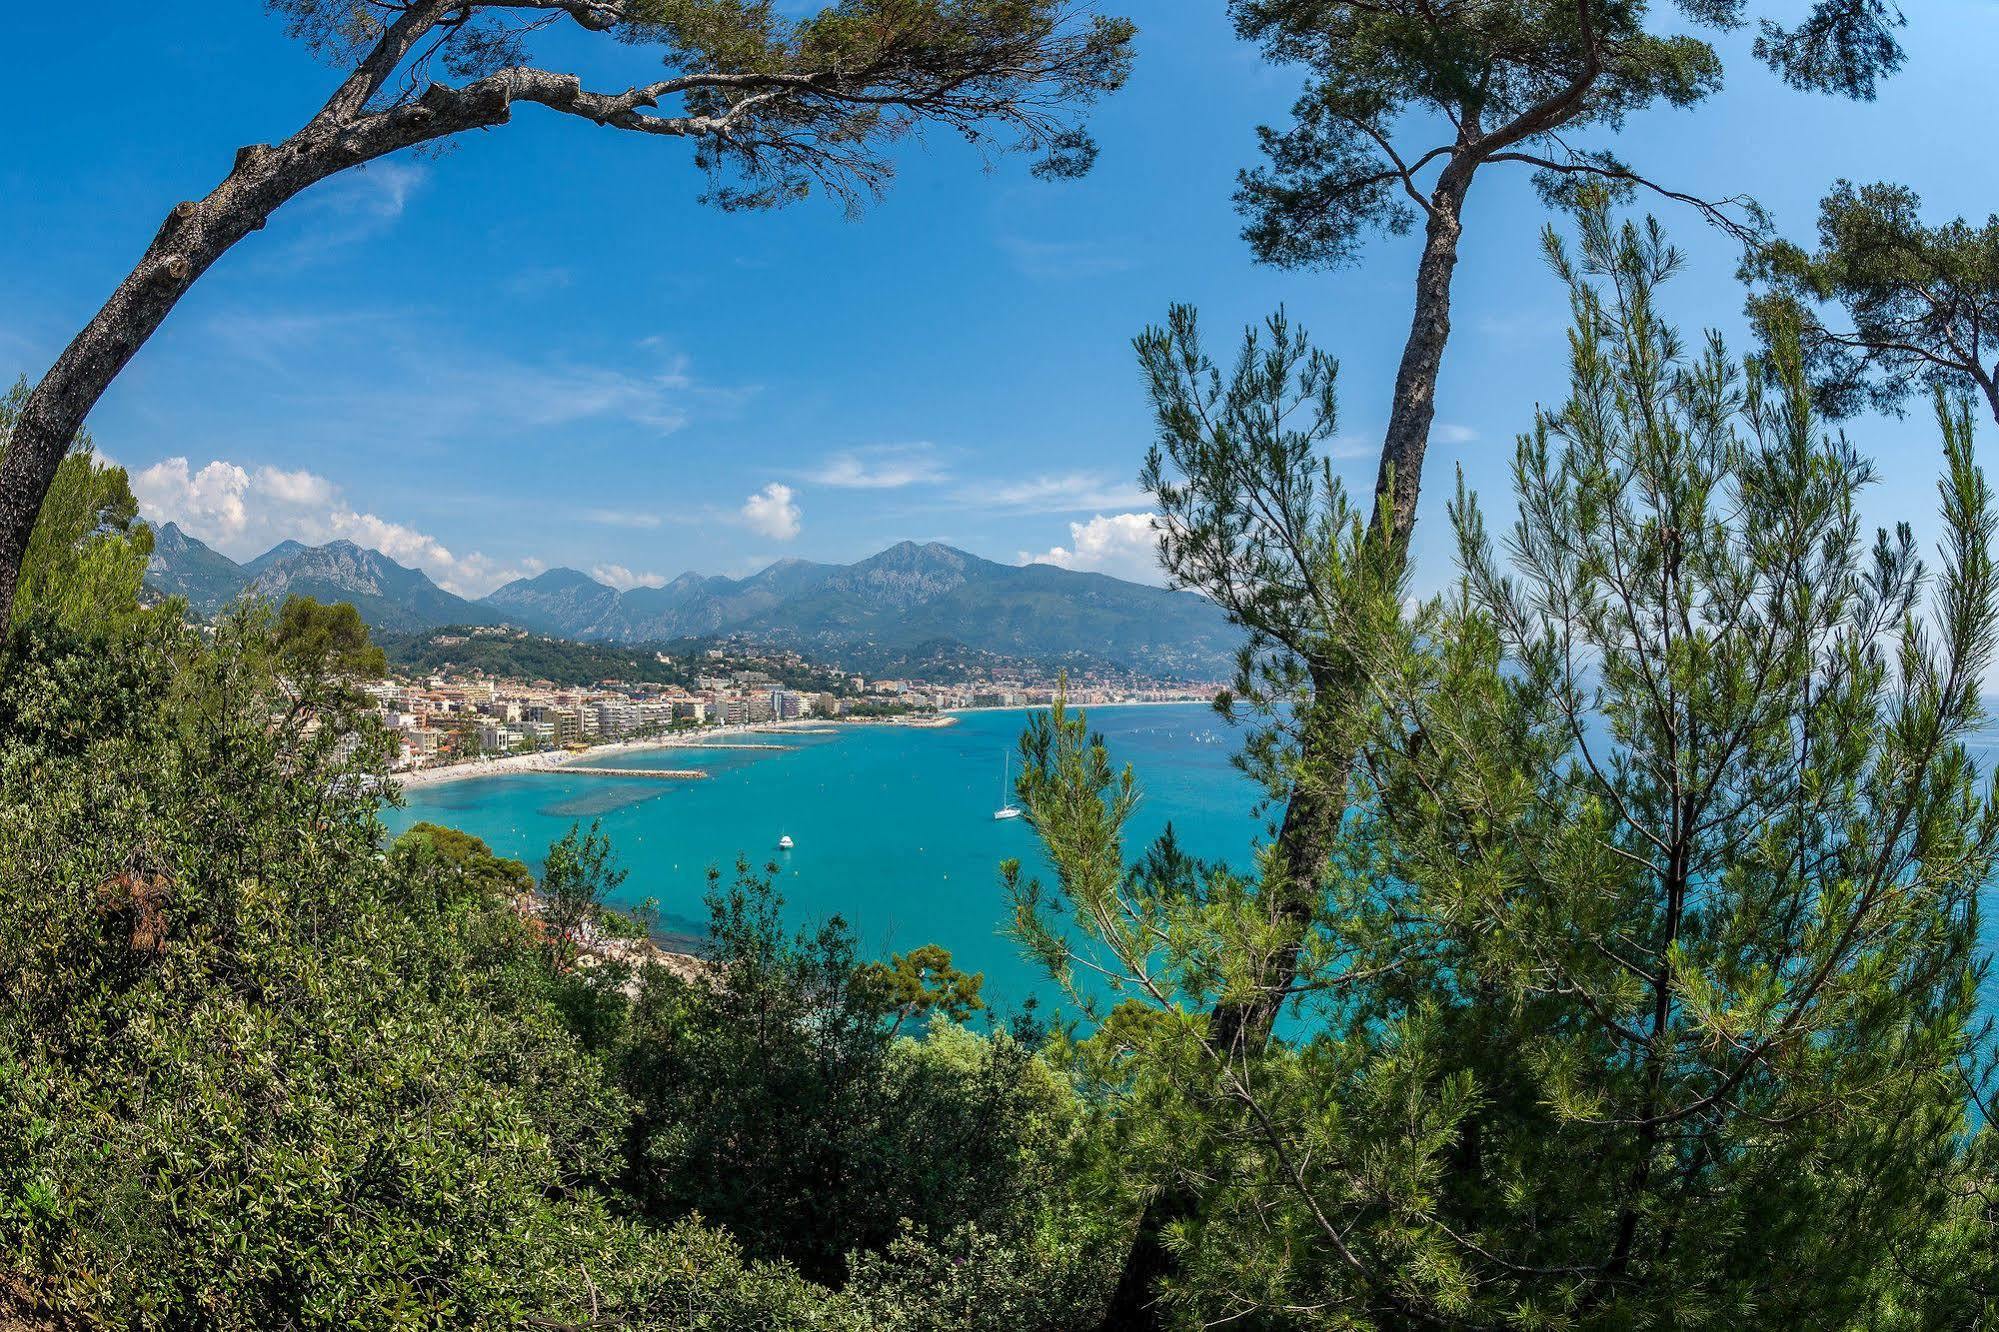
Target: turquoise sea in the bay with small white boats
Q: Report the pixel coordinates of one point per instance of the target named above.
(893, 825)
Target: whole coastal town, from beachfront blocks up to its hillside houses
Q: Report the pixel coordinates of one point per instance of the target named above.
(453, 723)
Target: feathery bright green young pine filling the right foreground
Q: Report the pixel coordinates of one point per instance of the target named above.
(1648, 957)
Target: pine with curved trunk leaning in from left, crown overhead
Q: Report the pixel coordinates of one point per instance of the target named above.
(771, 103)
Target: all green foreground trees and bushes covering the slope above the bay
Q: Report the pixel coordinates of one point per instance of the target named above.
(1556, 1049)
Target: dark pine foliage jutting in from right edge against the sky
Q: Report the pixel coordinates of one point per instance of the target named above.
(1888, 305)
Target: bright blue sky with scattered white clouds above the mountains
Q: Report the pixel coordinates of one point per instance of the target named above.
(541, 349)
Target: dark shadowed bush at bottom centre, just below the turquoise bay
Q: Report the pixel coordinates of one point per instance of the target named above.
(779, 1099)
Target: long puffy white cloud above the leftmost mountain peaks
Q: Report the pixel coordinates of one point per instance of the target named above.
(245, 513)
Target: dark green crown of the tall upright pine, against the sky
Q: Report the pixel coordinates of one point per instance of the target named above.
(1510, 83)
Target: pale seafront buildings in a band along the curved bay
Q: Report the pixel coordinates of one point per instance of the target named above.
(447, 719)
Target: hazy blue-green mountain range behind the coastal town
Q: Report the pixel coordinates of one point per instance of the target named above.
(889, 607)
